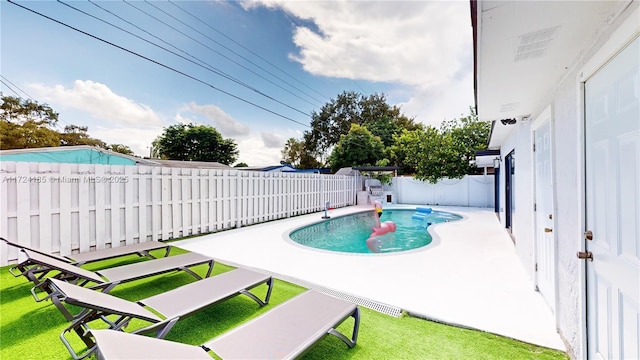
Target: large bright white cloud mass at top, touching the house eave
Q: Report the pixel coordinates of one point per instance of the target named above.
(424, 47)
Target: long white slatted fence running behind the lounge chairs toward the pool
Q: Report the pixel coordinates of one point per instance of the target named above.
(68, 208)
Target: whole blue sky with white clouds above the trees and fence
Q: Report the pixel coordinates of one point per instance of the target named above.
(255, 70)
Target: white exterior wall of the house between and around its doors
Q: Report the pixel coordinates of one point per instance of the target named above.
(566, 106)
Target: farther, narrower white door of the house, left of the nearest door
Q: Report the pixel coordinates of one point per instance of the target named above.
(545, 243)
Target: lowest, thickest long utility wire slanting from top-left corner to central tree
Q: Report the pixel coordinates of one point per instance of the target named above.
(158, 63)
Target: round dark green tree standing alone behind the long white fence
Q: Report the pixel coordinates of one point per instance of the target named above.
(195, 143)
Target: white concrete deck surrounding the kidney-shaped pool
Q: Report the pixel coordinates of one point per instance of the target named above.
(469, 276)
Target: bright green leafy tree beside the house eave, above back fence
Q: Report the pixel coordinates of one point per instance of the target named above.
(433, 154)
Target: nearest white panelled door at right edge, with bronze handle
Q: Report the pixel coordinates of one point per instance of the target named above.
(612, 155)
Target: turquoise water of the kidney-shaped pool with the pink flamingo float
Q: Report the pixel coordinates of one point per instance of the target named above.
(350, 233)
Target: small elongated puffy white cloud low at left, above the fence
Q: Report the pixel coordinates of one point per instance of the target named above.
(99, 101)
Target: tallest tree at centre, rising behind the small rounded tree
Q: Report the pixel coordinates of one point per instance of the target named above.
(335, 119)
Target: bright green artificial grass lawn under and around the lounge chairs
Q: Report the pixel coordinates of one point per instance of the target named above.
(30, 330)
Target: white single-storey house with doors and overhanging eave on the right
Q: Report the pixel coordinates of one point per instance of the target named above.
(561, 82)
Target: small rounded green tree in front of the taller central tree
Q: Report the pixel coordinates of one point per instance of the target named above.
(359, 147)
